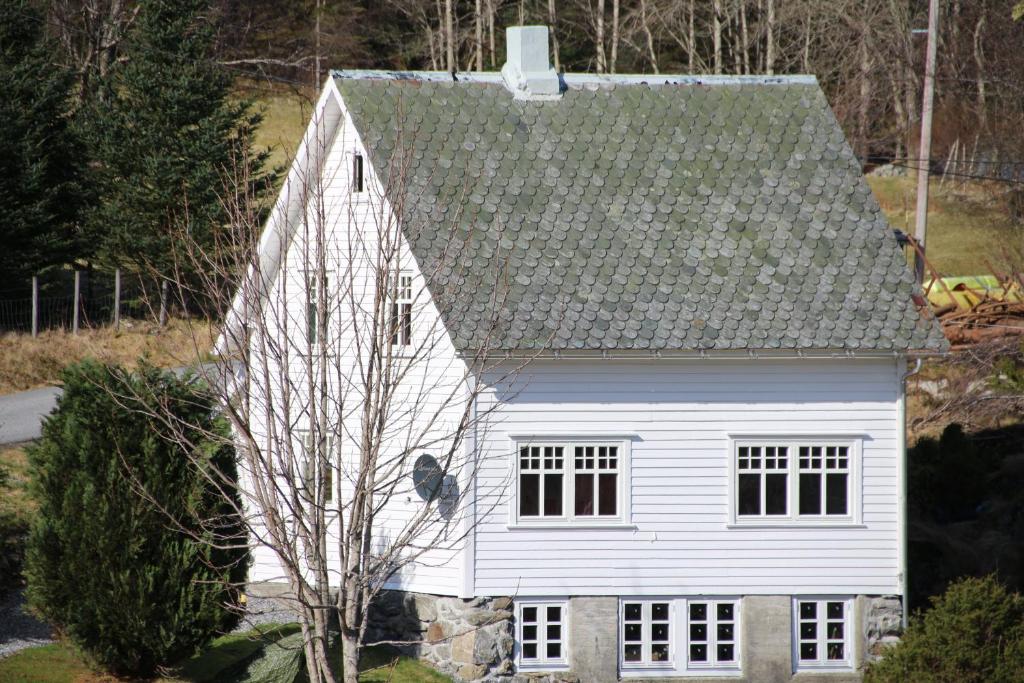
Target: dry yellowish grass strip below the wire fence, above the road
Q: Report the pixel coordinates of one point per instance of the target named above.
(28, 363)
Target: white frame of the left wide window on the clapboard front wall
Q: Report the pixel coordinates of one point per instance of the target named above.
(569, 517)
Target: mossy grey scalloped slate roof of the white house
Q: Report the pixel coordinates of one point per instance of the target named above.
(639, 217)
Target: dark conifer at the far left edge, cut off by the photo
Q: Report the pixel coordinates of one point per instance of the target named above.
(42, 167)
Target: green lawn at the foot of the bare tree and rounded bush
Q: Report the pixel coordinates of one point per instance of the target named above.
(60, 664)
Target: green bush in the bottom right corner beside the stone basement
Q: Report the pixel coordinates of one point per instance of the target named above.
(973, 633)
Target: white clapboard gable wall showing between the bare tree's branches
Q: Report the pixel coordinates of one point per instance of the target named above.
(350, 263)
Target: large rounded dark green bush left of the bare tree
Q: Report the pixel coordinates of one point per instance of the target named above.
(133, 579)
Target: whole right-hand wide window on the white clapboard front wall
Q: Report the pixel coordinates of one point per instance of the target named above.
(794, 481)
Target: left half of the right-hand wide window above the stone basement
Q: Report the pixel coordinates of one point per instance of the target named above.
(762, 481)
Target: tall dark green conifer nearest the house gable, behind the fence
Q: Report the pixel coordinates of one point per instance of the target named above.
(167, 138)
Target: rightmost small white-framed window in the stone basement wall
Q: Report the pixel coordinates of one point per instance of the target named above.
(823, 634)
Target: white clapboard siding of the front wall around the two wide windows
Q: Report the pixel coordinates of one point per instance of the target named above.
(680, 414)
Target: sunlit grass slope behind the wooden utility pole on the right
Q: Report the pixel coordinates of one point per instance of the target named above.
(968, 225)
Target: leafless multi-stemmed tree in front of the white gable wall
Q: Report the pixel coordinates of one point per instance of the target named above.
(338, 377)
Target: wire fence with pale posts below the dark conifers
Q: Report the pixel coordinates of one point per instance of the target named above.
(48, 303)
